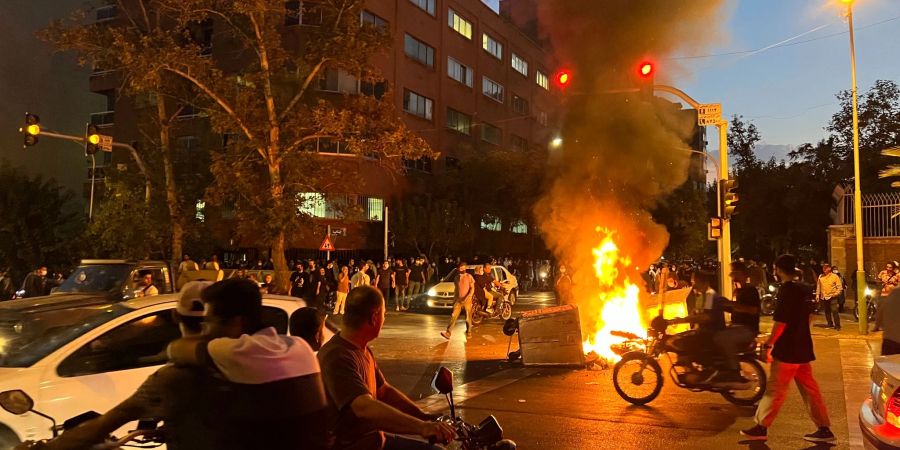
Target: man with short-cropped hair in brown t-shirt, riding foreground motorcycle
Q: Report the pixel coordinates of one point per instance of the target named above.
(362, 403)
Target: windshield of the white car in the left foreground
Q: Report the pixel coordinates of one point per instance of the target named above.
(27, 336)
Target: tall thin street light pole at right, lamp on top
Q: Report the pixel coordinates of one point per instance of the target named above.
(857, 190)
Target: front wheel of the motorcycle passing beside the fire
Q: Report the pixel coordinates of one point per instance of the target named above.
(637, 378)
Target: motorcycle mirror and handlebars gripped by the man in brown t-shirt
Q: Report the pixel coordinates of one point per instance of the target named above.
(488, 435)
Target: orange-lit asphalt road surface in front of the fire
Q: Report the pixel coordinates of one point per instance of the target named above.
(545, 408)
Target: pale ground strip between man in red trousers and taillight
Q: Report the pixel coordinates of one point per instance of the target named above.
(856, 365)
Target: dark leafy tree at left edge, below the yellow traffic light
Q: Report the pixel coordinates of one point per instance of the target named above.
(39, 225)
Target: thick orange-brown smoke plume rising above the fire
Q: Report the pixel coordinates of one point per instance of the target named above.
(620, 154)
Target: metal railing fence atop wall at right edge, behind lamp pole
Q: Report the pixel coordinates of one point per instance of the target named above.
(879, 213)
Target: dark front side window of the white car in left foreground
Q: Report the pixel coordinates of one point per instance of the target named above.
(139, 343)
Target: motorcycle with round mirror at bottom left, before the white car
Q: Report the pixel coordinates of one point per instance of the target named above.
(148, 435)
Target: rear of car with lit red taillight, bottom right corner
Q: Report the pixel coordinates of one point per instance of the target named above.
(879, 417)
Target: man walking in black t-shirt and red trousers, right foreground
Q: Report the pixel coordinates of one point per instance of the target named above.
(790, 351)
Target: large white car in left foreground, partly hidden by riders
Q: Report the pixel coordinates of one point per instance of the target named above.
(77, 356)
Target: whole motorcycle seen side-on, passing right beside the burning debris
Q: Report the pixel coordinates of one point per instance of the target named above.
(638, 377)
